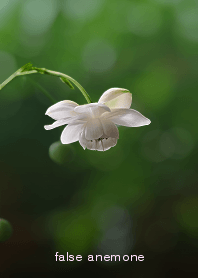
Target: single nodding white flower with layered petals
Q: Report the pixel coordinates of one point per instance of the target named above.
(94, 124)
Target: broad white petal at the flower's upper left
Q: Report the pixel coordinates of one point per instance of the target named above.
(62, 109)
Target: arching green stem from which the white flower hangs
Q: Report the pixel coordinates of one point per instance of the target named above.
(28, 69)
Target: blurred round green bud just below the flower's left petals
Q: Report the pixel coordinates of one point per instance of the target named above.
(61, 154)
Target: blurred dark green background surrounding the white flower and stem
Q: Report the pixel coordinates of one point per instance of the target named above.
(140, 197)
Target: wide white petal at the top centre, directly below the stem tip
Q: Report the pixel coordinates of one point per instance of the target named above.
(92, 109)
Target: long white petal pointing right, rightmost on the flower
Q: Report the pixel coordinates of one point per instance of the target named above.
(127, 117)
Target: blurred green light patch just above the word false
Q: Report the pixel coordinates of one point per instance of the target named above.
(72, 230)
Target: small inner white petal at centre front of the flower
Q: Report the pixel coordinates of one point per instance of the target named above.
(93, 129)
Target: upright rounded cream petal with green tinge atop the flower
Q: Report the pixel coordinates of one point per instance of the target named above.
(116, 98)
